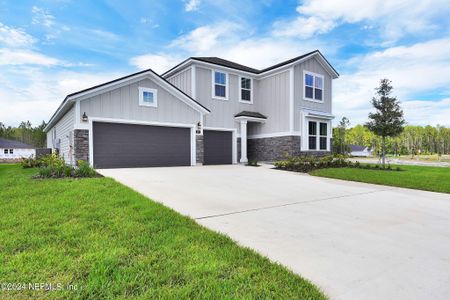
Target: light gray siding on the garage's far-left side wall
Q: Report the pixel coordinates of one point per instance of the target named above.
(64, 132)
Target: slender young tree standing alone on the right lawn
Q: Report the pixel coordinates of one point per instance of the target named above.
(387, 120)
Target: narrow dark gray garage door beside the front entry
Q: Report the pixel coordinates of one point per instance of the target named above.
(218, 147)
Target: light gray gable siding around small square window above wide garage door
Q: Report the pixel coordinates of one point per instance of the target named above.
(123, 103)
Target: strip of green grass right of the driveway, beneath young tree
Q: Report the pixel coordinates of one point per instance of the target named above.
(436, 179)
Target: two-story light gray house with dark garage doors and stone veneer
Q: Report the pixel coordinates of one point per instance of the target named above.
(205, 110)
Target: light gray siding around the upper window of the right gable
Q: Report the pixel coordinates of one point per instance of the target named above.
(314, 66)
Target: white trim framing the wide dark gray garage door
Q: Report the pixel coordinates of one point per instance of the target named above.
(138, 122)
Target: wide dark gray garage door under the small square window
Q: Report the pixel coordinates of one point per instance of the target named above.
(131, 146)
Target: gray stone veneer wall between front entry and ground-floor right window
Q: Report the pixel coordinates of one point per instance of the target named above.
(273, 148)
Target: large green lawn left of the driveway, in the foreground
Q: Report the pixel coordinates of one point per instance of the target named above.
(112, 242)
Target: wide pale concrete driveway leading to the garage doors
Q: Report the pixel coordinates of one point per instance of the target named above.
(354, 240)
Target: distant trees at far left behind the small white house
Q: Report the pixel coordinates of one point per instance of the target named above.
(25, 133)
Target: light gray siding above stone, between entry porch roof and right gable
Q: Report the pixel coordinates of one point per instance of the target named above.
(272, 100)
